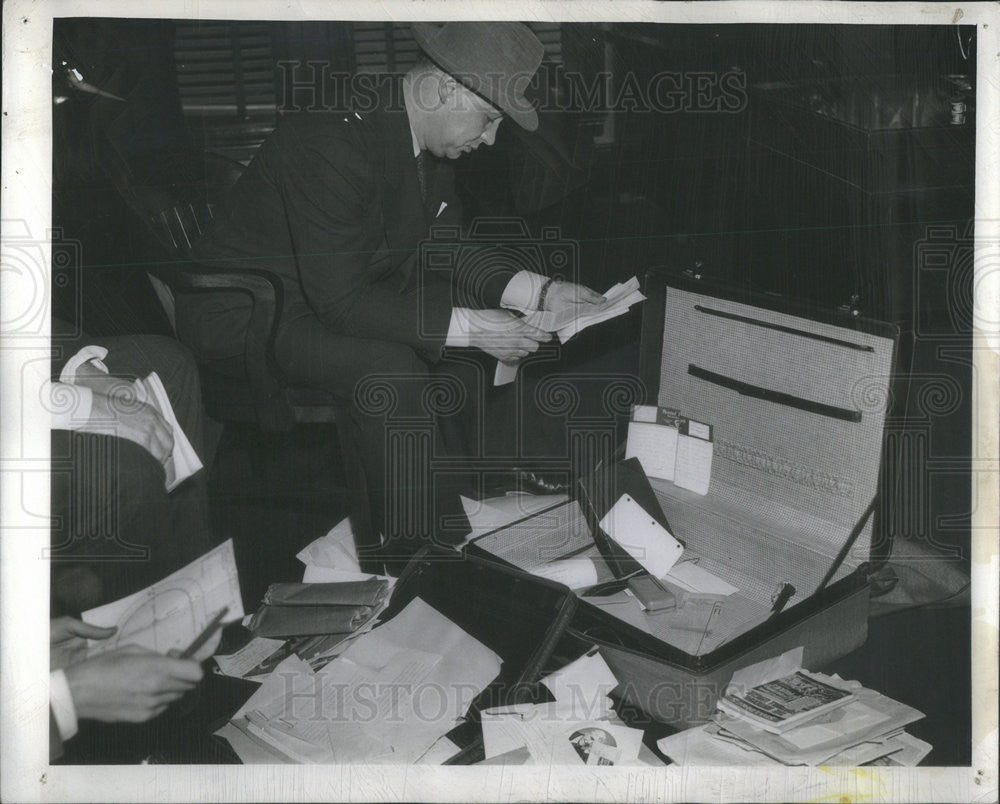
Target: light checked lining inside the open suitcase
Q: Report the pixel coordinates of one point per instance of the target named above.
(789, 481)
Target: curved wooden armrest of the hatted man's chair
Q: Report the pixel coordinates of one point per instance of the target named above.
(266, 382)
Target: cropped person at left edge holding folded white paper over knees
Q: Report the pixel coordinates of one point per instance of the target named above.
(116, 527)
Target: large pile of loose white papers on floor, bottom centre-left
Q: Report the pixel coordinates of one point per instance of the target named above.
(388, 698)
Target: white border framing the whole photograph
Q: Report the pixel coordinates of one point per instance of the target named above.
(24, 583)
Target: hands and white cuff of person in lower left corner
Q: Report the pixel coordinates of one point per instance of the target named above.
(127, 685)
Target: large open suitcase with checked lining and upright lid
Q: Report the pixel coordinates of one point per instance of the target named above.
(797, 402)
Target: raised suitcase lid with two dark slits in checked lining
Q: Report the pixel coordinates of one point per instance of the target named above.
(797, 401)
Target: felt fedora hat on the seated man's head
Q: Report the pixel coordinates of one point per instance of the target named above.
(493, 59)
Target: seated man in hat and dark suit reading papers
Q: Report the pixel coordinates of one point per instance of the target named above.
(337, 204)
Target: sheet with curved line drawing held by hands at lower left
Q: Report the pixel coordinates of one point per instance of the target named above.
(171, 613)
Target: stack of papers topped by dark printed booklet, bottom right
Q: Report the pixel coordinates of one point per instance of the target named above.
(771, 716)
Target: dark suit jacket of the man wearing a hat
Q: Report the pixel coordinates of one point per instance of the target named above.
(332, 204)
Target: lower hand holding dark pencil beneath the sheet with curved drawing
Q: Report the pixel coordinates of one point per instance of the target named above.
(129, 685)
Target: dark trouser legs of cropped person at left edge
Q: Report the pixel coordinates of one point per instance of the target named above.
(117, 530)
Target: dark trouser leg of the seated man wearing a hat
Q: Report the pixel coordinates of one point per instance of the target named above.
(395, 399)
